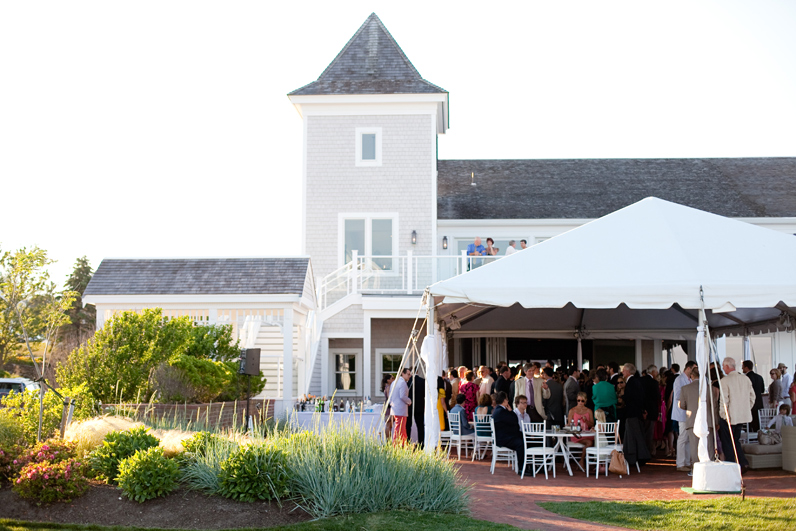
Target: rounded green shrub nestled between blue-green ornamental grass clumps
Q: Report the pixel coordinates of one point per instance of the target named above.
(254, 472)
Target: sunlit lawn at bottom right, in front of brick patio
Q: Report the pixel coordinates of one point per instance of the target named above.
(728, 513)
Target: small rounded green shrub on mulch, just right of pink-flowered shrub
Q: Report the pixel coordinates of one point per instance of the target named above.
(147, 474)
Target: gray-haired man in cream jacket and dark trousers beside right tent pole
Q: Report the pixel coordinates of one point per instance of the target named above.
(737, 400)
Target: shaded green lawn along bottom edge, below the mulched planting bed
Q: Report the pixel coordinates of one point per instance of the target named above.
(391, 521)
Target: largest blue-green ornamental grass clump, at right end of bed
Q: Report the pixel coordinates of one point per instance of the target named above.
(343, 471)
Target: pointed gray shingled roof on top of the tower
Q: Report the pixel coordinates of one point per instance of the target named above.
(371, 63)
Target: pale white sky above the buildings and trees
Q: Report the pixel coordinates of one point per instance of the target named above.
(162, 128)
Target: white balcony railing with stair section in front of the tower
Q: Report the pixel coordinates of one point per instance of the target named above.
(407, 274)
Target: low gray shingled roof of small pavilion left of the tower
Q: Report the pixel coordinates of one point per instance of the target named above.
(199, 276)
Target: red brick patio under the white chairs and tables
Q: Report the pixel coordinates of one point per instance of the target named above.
(505, 498)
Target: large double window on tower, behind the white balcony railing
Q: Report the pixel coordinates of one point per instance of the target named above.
(370, 235)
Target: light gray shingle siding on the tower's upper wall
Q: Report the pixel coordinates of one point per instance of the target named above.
(402, 184)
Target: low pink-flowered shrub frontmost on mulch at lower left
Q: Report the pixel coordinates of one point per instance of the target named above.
(47, 482)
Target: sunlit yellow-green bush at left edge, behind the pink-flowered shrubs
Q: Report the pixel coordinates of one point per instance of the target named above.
(23, 410)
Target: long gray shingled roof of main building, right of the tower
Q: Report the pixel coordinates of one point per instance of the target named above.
(591, 188)
